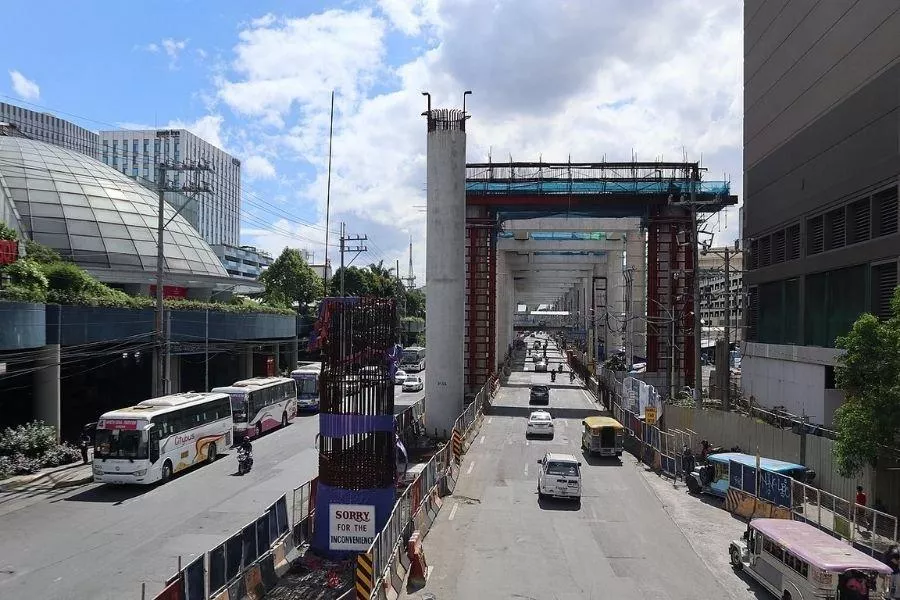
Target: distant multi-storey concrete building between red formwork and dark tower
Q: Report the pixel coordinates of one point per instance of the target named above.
(712, 295)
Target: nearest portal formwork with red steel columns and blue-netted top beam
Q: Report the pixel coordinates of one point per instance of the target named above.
(662, 194)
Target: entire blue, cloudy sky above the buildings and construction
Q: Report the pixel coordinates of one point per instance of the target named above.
(586, 79)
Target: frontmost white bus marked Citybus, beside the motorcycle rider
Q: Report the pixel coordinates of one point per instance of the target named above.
(155, 438)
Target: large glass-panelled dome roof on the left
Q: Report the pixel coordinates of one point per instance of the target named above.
(102, 220)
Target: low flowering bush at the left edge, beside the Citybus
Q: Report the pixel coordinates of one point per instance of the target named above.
(28, 448)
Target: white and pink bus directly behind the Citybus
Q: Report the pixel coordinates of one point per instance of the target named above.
(261, 404)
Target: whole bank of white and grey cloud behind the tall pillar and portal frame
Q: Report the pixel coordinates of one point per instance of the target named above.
(581, 78)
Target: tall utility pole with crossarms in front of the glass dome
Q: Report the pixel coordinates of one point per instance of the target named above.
(195, 186)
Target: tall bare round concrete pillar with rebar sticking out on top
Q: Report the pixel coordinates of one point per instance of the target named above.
(445, 267)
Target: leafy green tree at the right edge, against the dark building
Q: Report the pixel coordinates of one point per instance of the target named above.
(869, 374)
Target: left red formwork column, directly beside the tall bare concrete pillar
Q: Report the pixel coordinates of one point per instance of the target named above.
(481, 271)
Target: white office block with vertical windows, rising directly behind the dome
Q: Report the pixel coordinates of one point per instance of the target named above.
(135, 153)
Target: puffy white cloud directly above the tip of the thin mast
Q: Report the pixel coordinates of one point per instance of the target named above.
(283, 63)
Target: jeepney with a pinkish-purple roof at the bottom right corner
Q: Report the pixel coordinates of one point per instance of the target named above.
(794, 560)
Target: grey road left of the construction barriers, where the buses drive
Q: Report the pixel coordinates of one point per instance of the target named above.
(101, 541)
